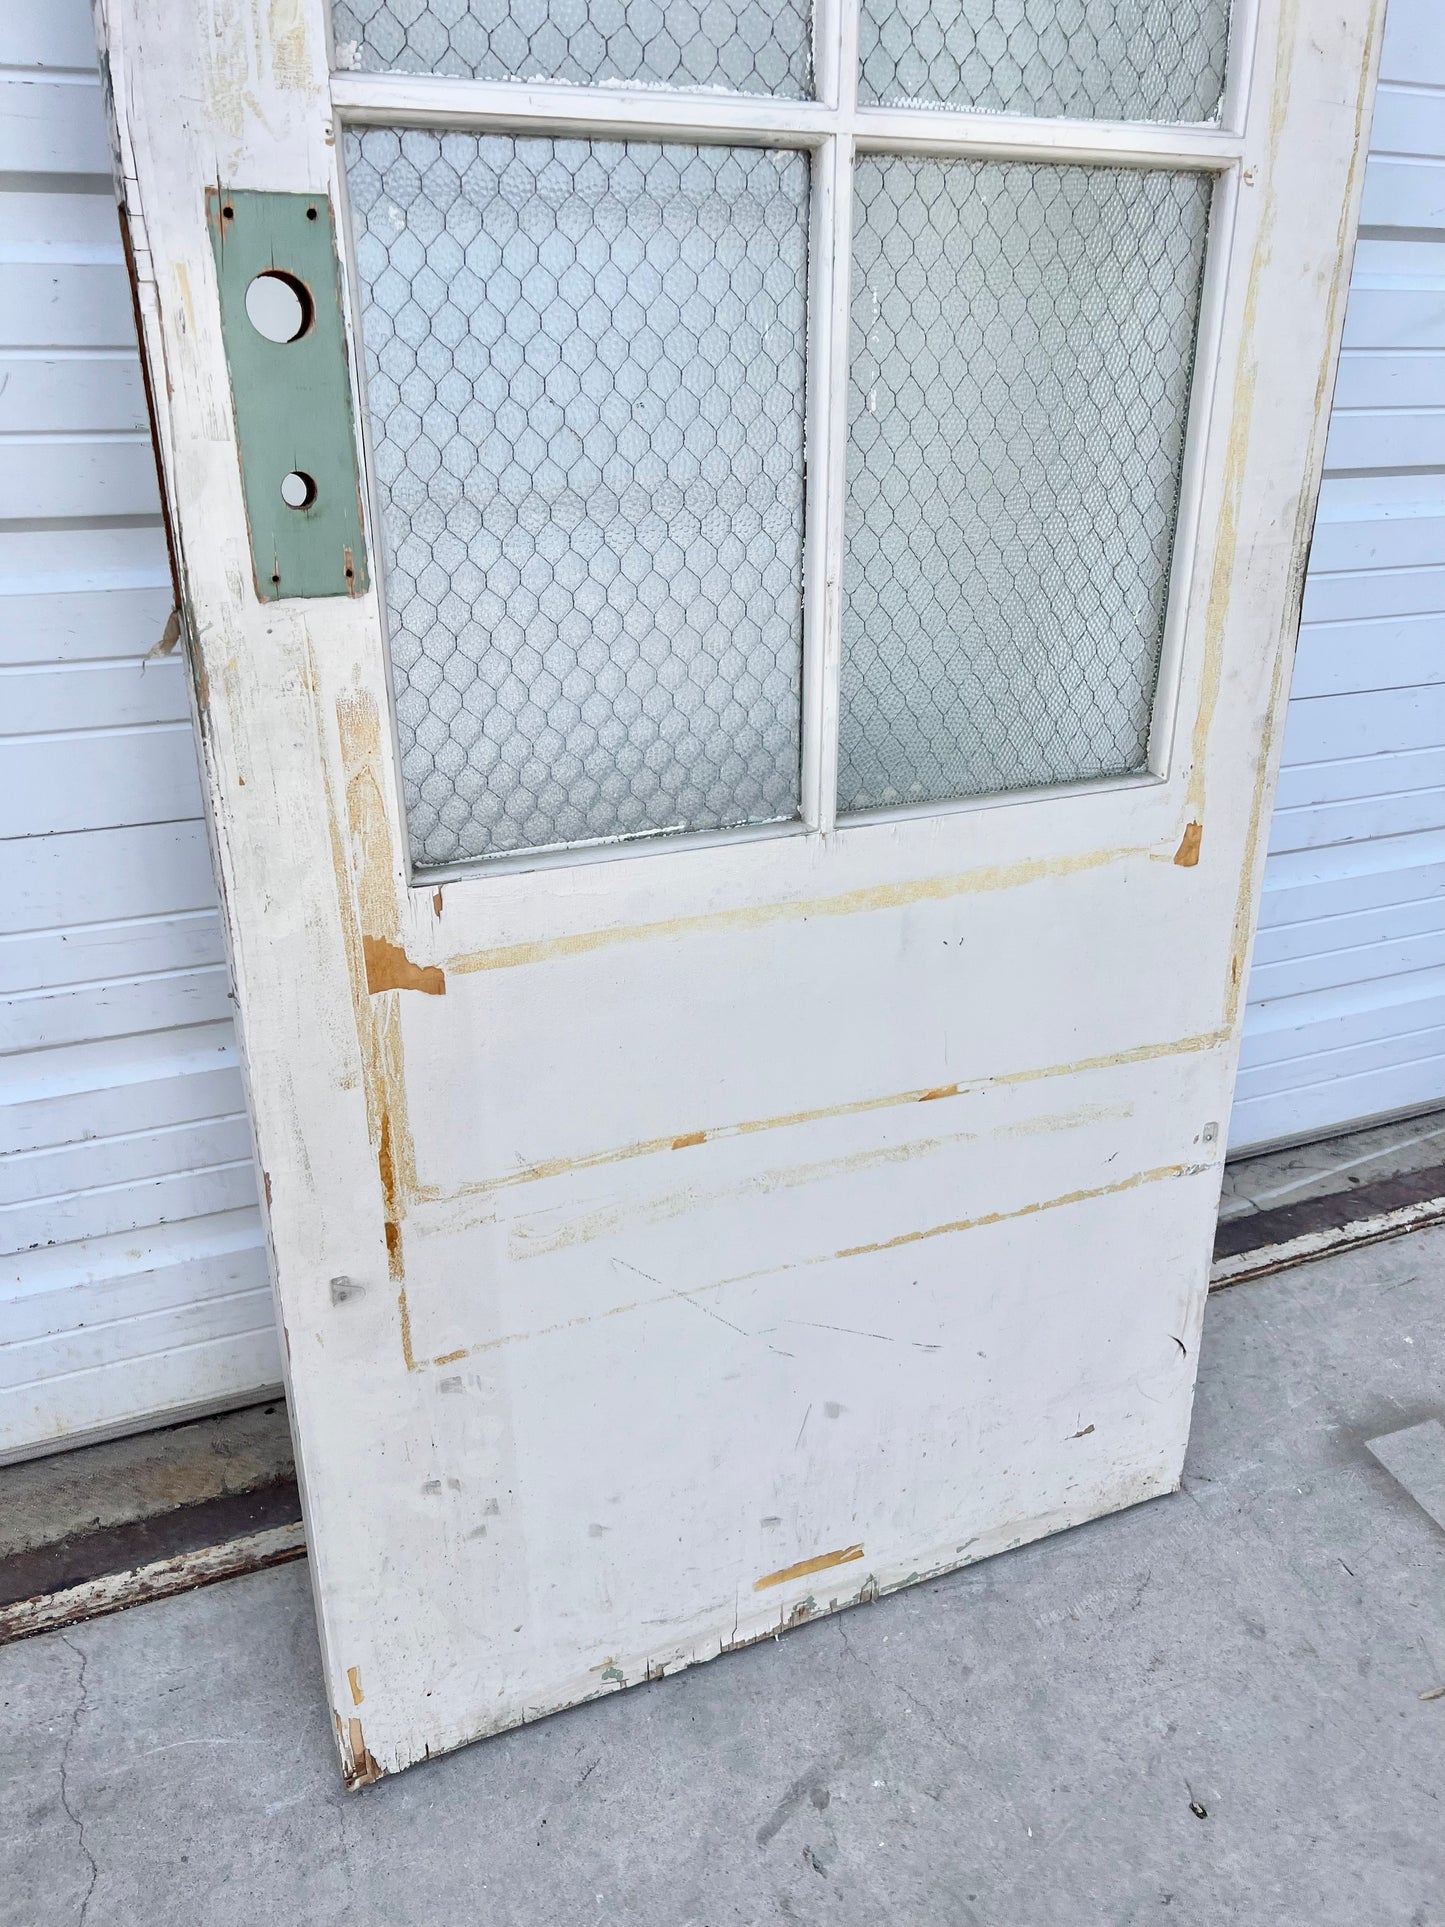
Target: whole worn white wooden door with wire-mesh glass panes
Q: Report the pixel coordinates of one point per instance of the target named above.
(741, 936)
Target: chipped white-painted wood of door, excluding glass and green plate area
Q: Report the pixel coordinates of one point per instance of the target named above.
(752, 1225)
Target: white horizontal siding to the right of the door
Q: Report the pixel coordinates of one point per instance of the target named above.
(1348, 990)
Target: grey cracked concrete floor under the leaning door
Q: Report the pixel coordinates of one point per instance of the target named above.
(1199, 1712)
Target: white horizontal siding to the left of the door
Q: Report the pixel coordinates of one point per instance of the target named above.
(136, 1284)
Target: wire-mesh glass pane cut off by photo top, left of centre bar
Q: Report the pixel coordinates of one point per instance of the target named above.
(749, 47)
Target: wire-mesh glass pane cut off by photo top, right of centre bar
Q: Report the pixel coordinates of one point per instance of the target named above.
(1153, 61)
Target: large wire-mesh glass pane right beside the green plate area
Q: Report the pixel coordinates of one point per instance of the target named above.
(585, 367)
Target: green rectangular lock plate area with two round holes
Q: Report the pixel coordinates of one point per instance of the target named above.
(286, 350)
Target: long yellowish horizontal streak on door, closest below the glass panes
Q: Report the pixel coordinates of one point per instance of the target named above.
(758, 916)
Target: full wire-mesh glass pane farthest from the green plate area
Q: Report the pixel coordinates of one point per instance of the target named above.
(1020, 359)
